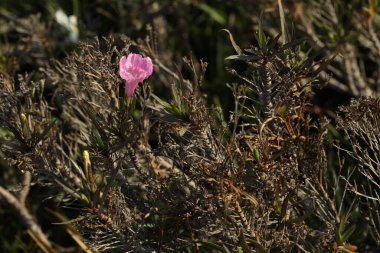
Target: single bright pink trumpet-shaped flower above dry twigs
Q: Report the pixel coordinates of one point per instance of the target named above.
(134, 69)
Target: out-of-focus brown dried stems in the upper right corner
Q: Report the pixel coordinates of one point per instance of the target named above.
(350, 33)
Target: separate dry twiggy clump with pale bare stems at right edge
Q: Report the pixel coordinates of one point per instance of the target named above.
(360, 123)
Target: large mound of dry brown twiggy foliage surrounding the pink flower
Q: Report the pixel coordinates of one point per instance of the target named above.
(161, 174)
